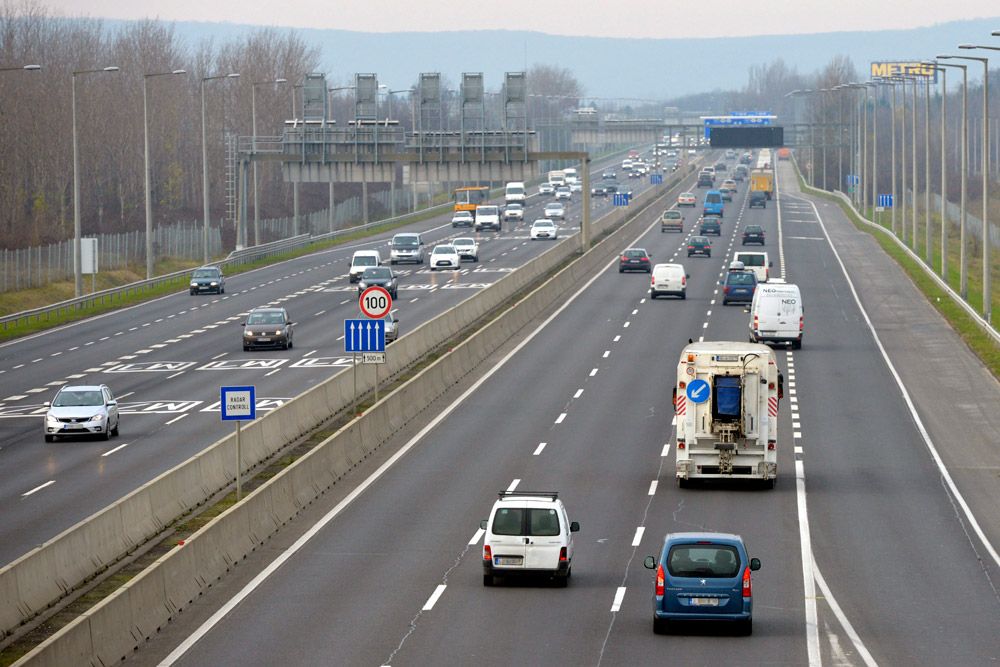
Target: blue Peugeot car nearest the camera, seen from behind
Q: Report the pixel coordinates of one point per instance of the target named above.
(703, 577)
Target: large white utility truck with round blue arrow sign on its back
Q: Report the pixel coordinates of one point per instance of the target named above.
(726, 403)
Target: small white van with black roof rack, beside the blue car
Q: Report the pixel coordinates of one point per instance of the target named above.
(528, 533)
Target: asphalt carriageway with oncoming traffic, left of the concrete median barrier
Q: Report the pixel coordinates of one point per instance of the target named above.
(166, 359)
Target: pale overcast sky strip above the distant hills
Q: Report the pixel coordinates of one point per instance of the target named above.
(634, 18)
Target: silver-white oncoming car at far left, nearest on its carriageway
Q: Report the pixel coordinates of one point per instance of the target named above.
(82, 410)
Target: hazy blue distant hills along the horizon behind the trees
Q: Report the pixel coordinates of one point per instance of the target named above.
(607, 67)
